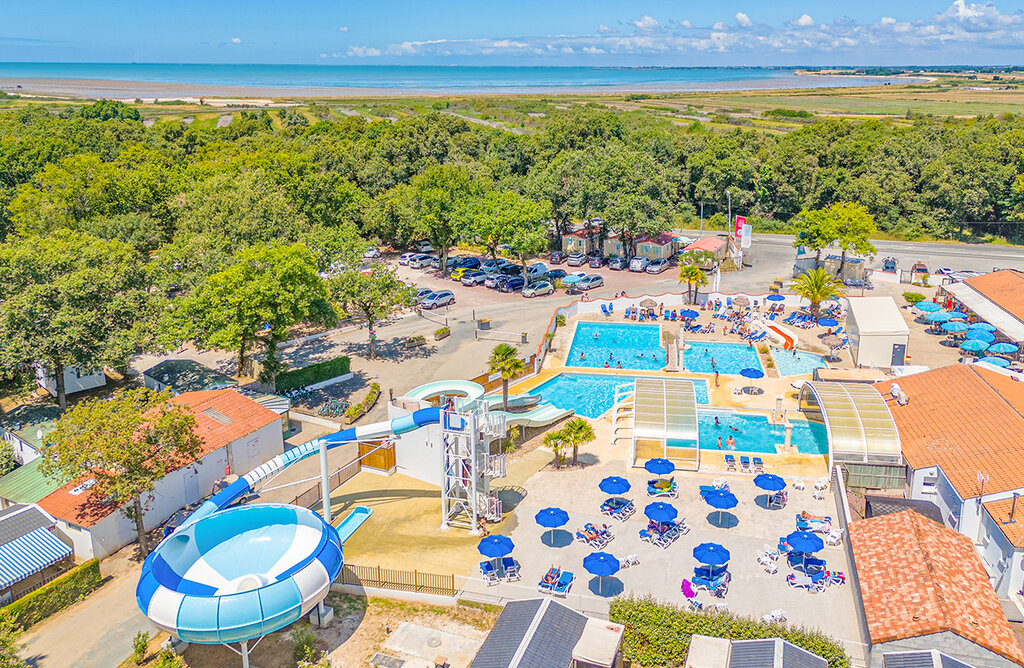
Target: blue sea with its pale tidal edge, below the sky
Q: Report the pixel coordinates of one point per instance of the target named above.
(453, 79)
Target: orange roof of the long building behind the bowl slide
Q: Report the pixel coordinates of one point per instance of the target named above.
(223, 416)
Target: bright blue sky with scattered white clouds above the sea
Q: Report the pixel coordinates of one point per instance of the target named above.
(681, 33)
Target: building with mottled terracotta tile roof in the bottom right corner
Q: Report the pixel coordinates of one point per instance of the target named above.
(923, 588)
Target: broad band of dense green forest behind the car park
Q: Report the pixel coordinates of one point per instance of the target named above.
(118, 236)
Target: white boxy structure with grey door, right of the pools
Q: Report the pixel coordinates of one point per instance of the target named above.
(879, 336)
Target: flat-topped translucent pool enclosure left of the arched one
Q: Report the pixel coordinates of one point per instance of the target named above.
(665, 422)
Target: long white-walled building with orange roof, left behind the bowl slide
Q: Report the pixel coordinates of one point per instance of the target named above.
(238, 434)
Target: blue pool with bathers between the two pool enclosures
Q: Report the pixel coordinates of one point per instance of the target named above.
(756, 434)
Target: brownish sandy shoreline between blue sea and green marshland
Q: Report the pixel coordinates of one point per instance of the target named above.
(187, 92)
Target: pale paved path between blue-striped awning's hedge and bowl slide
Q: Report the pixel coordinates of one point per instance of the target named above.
(97, 633)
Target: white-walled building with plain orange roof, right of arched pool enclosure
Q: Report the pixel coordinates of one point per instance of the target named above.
(962, 433)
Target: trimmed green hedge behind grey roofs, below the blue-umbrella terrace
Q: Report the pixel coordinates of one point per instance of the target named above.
(659, 635)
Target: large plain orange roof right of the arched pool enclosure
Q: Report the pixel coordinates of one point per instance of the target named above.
(963, 419)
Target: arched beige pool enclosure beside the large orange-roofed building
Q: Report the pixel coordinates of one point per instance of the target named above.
(862, 433)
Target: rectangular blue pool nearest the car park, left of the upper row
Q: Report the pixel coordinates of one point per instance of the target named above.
(595, 345)
